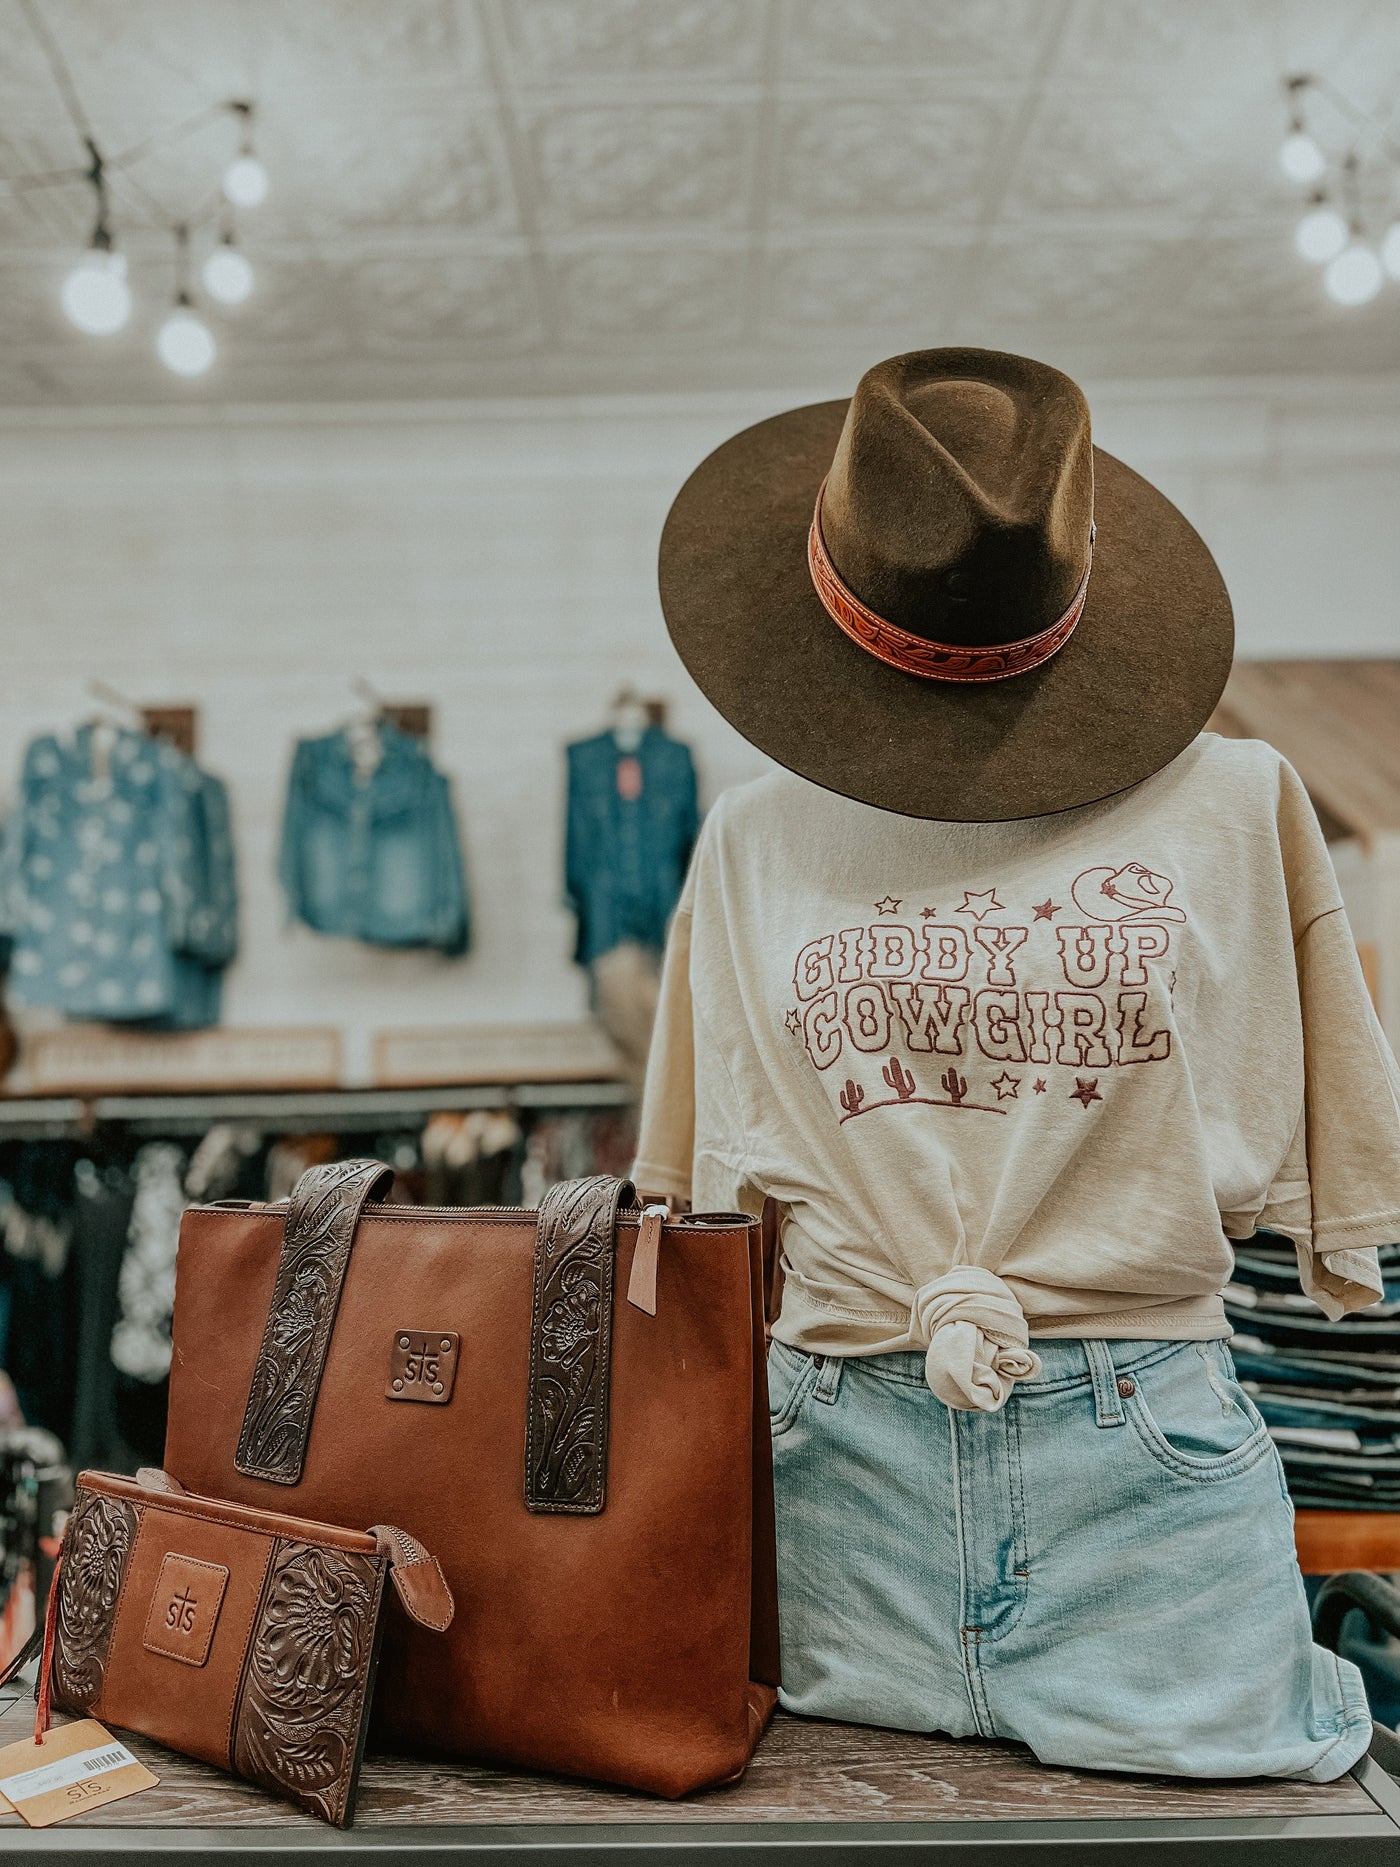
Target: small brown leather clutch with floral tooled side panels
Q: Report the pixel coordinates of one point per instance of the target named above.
(238, 1636)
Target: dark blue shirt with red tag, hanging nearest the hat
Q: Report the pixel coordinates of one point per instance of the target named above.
(632, 824)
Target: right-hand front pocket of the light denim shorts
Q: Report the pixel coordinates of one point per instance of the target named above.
(1192, 1414)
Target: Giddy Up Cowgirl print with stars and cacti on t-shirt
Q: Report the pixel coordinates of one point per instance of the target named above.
(1011, 987)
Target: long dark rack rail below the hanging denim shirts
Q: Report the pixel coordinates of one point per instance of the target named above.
(288, 1112)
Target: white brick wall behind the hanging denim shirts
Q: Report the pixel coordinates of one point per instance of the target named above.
(499, 561)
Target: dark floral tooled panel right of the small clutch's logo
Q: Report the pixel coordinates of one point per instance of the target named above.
(301, 1713)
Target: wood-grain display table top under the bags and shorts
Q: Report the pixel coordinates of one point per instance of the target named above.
(830, 1791)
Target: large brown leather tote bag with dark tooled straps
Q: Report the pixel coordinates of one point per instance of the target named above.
(570, 1409)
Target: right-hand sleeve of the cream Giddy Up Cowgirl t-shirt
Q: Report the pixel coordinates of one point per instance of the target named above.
(1337, 1194)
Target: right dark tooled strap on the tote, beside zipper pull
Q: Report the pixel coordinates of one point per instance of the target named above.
(567, 1439)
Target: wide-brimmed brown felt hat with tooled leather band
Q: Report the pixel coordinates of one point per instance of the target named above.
(942, 598)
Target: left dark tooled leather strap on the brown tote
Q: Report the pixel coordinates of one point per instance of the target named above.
(316, 1246)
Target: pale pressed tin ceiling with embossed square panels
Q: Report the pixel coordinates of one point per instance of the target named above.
(550, 197)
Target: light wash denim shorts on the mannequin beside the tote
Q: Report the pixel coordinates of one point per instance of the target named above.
(1104, 1569)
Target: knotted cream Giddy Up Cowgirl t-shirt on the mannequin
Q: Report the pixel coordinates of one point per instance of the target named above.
(1015, 1080)
